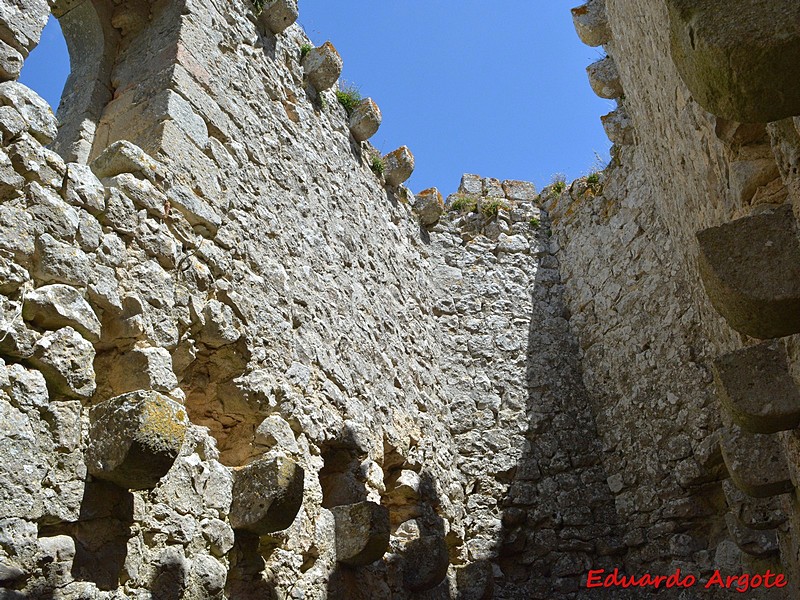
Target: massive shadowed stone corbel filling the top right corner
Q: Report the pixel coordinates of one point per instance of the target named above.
(739, 58)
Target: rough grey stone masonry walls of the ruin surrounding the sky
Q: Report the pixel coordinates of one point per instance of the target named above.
(239, 361)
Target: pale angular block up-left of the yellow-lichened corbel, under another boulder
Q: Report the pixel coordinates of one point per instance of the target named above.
(66, 360)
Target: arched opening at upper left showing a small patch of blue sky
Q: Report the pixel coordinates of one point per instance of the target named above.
(48, 66)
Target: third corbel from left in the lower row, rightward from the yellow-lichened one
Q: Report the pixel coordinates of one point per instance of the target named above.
(362, 533)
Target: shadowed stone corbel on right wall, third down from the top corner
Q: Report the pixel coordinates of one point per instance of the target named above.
(756, 388)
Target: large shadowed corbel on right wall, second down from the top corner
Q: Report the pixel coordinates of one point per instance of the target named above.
(751, 271)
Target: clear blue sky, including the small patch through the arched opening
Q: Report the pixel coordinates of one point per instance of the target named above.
(497, 89)
